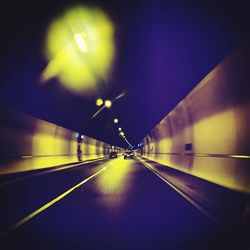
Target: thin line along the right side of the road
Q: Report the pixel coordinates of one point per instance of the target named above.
(205, 212)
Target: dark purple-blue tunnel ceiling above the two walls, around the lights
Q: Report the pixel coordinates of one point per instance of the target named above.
(163, 49)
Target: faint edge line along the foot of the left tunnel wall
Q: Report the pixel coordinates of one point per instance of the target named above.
(49, 171)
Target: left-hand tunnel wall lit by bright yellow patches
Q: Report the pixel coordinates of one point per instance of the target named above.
(28, 143)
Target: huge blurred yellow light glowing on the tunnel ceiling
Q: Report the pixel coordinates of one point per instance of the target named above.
(80, 49)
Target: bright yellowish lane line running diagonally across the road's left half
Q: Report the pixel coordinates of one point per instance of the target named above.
(30, 216)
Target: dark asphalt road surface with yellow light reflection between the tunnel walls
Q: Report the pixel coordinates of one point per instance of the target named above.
(109, 204)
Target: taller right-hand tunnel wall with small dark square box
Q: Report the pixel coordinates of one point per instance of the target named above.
(207, 133)
